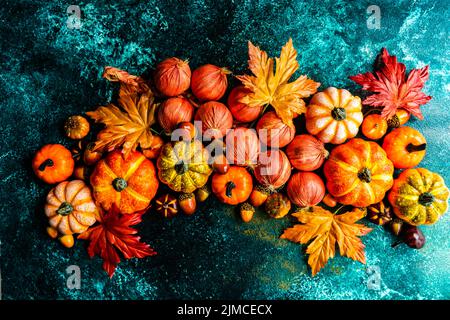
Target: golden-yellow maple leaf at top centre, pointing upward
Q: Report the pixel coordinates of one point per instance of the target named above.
(269, 87)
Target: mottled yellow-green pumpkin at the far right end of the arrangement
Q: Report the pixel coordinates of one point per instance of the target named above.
(419, 196)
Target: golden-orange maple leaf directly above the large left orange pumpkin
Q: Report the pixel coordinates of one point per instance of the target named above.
(128, 125)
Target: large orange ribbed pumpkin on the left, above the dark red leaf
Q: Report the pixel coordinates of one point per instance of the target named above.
(129, 183)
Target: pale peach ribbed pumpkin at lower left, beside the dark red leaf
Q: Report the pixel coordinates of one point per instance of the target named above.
(70, 208)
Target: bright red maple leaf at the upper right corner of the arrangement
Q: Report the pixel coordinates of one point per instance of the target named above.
(393, 90)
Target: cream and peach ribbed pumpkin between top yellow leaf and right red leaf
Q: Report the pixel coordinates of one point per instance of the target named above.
(334, 115)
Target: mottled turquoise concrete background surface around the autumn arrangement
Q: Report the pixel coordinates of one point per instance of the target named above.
(49, 71)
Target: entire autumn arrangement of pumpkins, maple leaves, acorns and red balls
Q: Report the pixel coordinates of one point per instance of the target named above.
(169, 142)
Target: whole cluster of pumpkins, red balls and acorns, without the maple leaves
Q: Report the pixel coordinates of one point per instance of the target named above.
(270, 165)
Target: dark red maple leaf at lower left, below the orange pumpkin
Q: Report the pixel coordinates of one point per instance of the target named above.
(114, 233)
